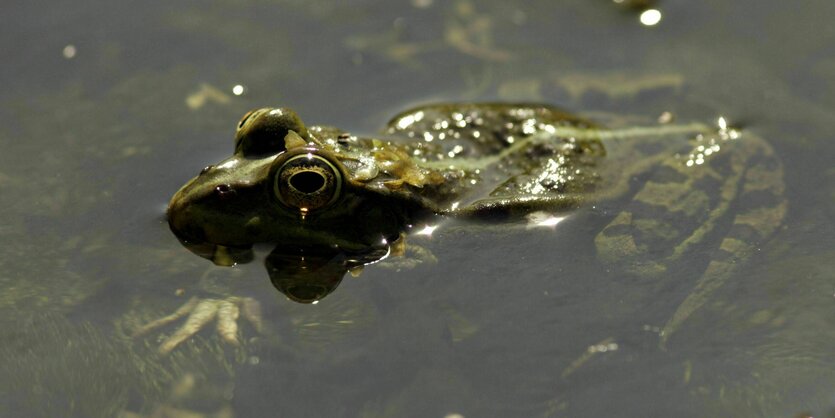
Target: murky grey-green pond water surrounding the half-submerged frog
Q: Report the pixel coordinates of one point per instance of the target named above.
(108, 108)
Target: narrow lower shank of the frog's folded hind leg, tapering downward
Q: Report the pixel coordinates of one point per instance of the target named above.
(761, 208)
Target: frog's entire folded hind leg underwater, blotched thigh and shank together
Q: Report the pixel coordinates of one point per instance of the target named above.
(686, 201)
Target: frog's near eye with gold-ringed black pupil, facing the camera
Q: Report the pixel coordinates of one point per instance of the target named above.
(308, 182)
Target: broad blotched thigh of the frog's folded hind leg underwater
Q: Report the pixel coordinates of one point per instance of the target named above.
(676, 208)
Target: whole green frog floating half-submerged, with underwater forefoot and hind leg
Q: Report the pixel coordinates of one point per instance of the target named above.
(322, 193)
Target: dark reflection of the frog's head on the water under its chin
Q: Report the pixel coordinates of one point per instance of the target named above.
(303, 274)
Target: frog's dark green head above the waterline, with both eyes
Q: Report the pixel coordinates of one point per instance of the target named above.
(281, 185)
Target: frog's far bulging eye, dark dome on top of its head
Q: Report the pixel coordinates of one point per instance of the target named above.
(261, 132)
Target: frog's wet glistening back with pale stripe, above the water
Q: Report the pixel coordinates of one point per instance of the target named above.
(502, 154)
